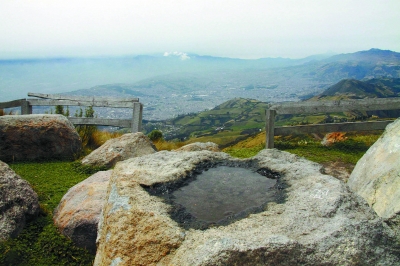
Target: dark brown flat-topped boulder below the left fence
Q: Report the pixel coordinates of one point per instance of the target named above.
(35, 137)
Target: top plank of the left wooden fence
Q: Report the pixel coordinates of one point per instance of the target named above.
(81, 98)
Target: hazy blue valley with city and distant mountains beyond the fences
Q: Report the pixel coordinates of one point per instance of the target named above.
(174, 84)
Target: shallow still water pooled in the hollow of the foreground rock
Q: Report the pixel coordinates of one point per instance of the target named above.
(222, 192)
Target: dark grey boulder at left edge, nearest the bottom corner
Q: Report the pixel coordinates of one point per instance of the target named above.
(18, 202)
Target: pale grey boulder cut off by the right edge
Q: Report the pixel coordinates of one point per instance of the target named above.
(376, 177)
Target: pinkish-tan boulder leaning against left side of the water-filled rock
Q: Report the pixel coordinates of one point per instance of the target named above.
(77, 215)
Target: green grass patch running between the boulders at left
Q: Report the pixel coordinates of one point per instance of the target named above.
(40, 243)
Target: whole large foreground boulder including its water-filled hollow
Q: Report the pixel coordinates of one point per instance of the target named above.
(183, 208)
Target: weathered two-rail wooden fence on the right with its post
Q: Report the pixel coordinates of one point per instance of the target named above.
(326, 107)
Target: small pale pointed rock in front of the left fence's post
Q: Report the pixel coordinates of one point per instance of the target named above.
(114, 150)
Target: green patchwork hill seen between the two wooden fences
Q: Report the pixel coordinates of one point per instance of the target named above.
(236, 118)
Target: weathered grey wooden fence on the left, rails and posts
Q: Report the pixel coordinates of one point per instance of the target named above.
(64, 100)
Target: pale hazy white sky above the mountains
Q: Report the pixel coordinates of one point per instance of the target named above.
(229, 28)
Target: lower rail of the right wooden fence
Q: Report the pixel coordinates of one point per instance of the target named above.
(334, 127)
